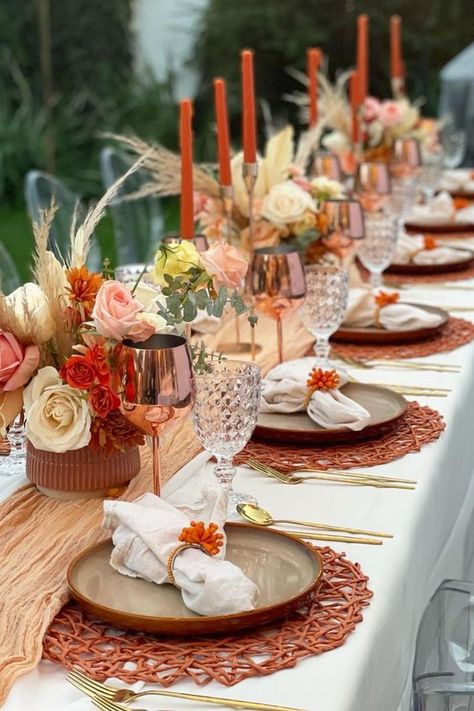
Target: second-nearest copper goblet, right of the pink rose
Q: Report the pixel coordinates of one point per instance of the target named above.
(277, 283)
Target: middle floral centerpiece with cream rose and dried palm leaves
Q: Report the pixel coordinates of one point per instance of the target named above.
(286, 203)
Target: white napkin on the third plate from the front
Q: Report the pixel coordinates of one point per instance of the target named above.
(361, 311)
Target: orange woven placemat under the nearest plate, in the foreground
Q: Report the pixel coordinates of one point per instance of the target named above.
(322, 624)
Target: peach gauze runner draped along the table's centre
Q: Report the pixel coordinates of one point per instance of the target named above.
(40, 536)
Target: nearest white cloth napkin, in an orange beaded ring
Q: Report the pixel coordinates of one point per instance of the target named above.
(145, 532)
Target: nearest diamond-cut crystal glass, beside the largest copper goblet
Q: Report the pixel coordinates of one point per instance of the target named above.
(224, 417)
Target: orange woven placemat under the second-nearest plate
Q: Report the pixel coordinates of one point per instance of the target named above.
(419, 426)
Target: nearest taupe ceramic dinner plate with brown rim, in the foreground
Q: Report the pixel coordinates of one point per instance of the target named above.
(285, 570)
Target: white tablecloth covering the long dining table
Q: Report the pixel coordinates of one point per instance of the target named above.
(433, 541)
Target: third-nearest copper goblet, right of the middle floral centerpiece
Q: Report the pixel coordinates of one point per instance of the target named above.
(342, 224)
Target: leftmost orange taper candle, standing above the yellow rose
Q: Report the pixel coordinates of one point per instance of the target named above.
(186, 146)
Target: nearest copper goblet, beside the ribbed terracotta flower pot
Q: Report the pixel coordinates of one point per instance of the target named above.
(158, 388)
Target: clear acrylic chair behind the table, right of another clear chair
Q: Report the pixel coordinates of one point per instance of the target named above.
(138, 224)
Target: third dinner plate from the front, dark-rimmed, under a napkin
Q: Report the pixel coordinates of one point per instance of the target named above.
(380, 336)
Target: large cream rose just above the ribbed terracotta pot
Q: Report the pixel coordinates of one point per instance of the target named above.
(58, 418)
